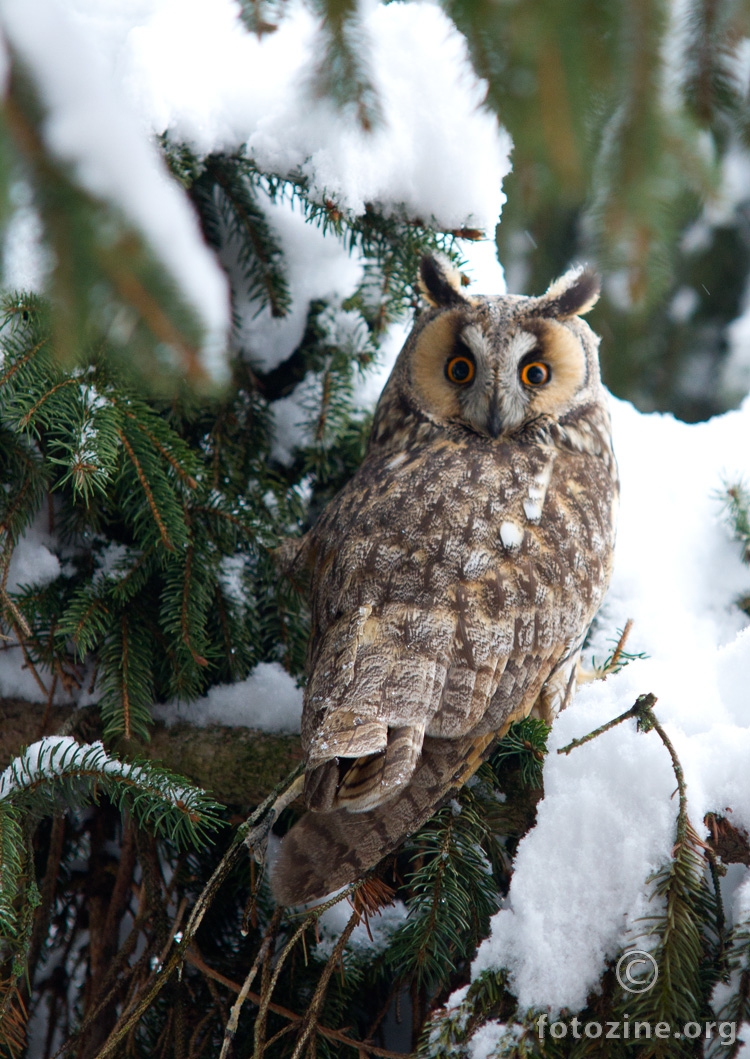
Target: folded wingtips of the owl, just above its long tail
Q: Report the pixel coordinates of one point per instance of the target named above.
(372, 764)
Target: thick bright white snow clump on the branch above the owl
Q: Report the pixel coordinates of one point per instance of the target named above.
(192, 70)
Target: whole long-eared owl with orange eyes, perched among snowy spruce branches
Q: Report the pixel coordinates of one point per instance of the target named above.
(455, 578)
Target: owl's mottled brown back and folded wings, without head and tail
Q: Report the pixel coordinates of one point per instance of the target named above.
(449, 586)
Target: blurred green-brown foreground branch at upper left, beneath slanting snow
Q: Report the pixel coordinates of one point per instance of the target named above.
(106, 283)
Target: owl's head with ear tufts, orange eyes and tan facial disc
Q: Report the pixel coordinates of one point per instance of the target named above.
(494, 365)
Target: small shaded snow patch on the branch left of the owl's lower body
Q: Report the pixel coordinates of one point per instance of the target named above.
(269, 701)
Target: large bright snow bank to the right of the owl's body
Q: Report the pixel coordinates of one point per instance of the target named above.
(608, 820)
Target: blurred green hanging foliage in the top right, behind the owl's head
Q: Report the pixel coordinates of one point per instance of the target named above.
(622, 116)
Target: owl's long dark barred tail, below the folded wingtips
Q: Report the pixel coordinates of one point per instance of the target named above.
(327, 851)
